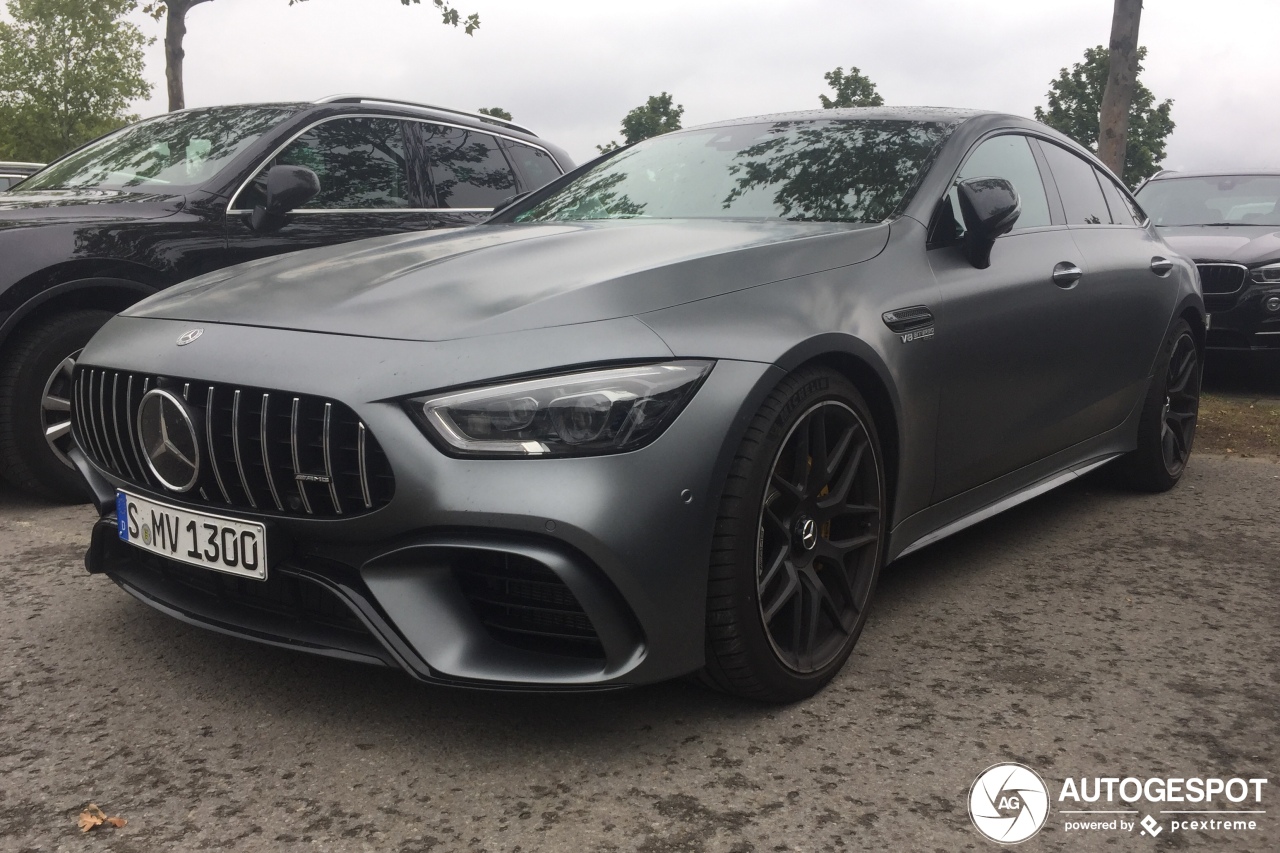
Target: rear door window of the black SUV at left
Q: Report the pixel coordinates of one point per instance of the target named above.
(467, 168)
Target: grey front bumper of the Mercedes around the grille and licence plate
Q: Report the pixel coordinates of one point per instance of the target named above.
(525, 573)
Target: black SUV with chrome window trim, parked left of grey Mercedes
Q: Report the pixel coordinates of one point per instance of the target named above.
(188, 193)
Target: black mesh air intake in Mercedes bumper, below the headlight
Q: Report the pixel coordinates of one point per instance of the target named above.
(524, 604)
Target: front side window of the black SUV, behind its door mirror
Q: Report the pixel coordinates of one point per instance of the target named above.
(360, 163)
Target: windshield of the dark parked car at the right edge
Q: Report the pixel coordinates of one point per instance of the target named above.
(1227, 200)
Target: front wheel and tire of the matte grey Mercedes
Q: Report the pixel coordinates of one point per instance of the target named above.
(793, 565)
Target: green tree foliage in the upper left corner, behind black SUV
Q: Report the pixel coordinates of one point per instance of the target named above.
(68, 72)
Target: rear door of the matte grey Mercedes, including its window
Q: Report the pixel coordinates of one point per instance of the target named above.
(1127, 288)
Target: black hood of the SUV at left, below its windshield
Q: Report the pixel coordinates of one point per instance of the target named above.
(38, 208)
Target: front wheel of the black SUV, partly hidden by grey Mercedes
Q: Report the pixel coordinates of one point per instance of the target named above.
(36, 366)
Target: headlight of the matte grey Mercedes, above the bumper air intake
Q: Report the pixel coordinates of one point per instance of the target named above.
(580, 414)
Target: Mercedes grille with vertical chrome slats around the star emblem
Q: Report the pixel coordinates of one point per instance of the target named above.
(262, 451)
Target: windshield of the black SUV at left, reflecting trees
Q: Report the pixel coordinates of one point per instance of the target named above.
(167, 154)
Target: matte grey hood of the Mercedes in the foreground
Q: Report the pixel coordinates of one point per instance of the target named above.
(491, 280)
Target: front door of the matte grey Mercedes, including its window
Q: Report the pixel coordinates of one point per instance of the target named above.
(1014, 334)
